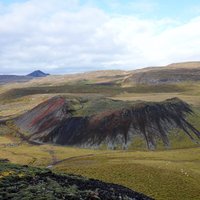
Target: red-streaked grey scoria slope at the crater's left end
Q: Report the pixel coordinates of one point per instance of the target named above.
(44, 117)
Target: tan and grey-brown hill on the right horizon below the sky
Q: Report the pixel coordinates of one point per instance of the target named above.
(173, 73)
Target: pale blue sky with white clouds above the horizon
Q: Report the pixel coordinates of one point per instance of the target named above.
(69, 36)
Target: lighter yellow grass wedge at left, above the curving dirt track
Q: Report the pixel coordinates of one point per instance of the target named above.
(42, 155)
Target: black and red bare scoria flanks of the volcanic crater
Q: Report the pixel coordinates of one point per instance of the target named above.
(53, 122)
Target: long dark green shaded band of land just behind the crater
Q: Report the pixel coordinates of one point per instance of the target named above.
(109, 90)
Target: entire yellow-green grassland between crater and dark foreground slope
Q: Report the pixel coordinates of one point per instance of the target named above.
(167, 174)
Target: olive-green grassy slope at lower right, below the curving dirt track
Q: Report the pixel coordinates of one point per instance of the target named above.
(172, 174)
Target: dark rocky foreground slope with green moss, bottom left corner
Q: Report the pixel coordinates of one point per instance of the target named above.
(38, 183)
